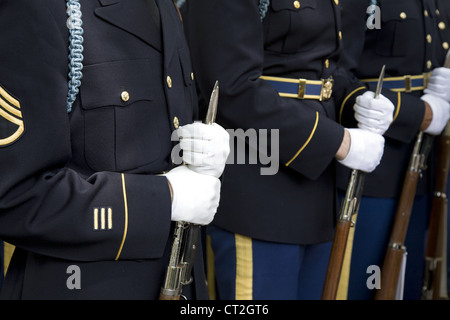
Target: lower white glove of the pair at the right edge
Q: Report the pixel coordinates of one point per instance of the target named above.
(440, 109)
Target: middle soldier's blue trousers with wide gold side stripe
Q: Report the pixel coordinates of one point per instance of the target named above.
(247, 269)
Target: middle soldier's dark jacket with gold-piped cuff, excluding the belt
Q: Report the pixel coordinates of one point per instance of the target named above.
(229, 43)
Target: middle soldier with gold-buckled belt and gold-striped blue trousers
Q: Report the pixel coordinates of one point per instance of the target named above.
(275, 61)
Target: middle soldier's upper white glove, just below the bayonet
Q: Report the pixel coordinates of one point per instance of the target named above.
(373, 114)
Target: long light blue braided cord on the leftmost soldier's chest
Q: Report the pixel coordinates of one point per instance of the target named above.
(74, 24)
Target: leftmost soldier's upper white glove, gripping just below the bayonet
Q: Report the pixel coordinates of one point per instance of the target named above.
(205, 147)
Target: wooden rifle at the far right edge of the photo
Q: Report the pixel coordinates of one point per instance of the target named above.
(435, 277)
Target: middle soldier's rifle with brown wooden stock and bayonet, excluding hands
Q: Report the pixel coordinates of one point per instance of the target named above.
(349, 209)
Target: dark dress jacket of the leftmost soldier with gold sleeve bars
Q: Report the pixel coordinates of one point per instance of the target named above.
(83, 188)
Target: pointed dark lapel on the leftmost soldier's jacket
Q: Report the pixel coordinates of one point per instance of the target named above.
(133, 19)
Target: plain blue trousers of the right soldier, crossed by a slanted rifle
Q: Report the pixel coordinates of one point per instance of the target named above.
(371, 237)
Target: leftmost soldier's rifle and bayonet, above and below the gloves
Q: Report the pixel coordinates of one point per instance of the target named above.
(185, 238)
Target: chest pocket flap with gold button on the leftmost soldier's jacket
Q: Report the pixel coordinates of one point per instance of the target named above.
(117, 83)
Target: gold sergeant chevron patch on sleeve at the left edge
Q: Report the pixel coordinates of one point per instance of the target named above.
(11, 120)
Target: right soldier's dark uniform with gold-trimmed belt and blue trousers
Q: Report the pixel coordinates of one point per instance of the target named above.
(405, 43)
